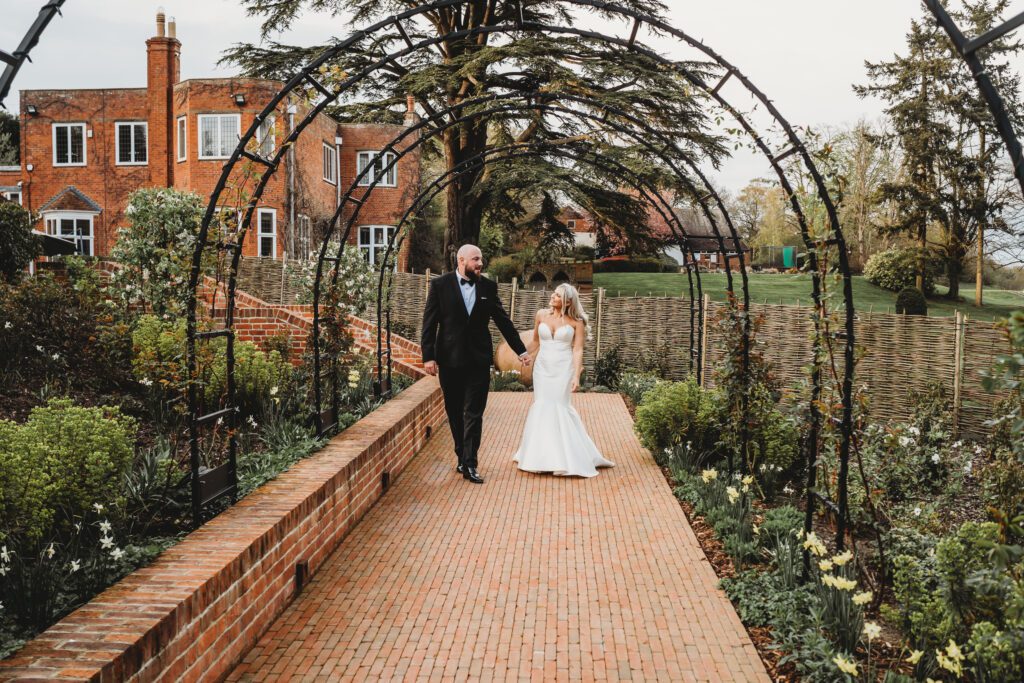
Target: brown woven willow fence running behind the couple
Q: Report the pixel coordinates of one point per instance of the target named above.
(900, 354)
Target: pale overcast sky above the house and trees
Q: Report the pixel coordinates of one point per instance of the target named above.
(804, 55)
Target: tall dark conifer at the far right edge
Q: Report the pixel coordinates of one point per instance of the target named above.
(954, 182)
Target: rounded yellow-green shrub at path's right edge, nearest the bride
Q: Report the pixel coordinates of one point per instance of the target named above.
(674, 413)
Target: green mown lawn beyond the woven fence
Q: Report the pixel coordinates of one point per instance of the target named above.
(797, 289)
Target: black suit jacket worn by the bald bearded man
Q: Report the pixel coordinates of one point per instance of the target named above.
(457, 339)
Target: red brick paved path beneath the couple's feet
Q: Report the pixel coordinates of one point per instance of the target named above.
(528, 578)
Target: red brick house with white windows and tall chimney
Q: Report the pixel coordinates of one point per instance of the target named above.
(84, 152)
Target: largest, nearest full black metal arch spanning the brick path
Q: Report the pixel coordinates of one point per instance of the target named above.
(307, 78)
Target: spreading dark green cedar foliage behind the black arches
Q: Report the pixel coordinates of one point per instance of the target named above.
(459, 70)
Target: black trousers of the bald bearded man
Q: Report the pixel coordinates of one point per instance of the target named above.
(465, 393)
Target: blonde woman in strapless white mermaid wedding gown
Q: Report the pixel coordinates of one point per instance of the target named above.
(554, 440)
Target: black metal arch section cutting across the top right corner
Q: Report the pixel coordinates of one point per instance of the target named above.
(969, 49)
